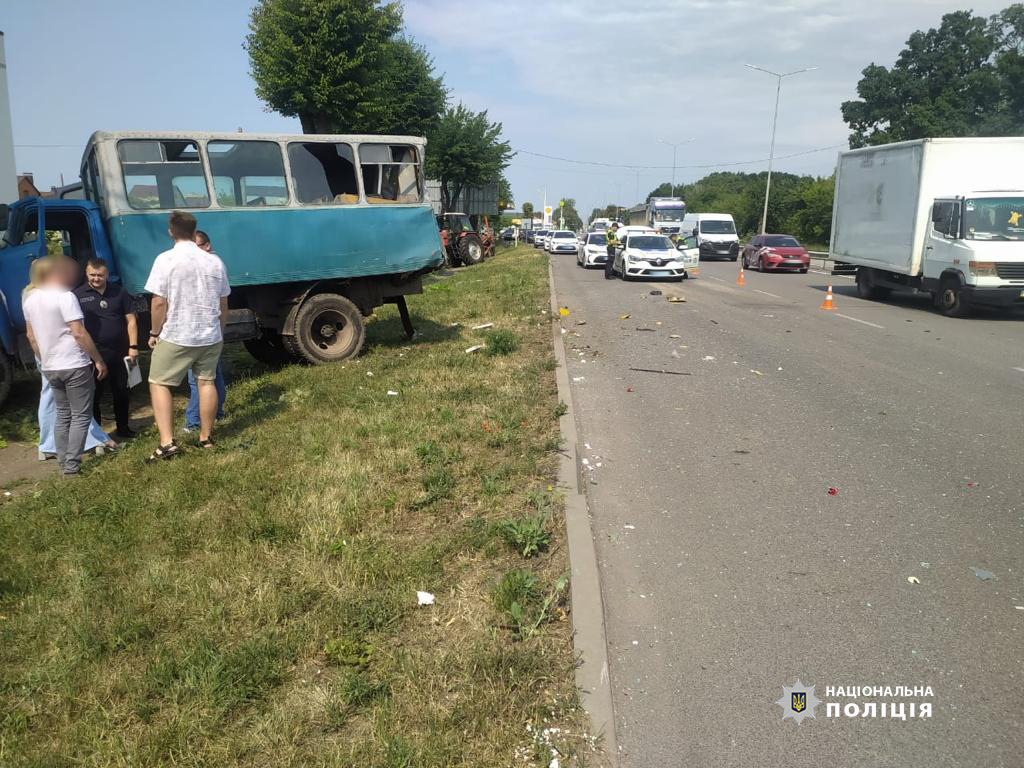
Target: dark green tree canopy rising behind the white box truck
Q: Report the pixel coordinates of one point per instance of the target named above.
(963, 79)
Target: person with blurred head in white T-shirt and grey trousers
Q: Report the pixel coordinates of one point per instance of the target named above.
(67, 354)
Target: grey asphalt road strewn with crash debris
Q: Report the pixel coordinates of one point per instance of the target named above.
(729, 571)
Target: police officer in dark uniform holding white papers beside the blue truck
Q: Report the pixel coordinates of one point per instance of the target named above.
(111, 323)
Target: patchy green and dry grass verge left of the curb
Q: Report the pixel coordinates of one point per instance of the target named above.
(258, 606)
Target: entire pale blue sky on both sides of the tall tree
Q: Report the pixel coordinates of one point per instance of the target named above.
(580, 79)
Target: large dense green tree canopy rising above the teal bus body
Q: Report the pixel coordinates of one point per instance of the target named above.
(343, 67)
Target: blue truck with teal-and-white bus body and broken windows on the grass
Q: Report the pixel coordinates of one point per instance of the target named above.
(316, 232)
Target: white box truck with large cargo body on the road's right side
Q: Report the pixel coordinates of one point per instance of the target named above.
(944, 217)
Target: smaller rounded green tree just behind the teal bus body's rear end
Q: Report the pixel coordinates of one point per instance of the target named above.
(466, 150)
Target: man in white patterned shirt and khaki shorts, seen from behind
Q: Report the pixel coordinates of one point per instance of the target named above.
(189, 311)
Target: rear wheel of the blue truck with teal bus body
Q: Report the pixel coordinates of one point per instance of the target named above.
(328, 329)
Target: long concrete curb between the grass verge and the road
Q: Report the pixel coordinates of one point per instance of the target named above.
(589, 639)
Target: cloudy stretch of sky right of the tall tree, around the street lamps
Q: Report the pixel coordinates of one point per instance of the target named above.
(595, 79)
